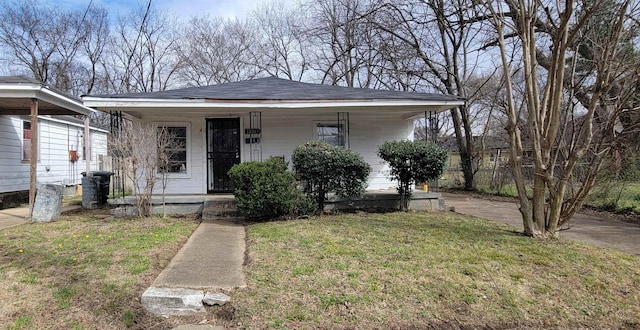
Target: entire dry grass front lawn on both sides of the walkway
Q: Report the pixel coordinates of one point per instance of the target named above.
(396, 270)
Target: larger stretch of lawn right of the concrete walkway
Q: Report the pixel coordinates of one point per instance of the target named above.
(417, 270)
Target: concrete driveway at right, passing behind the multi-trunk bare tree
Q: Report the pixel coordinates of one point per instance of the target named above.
(597, 230)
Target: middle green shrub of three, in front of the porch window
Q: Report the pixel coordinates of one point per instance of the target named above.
(324, 168)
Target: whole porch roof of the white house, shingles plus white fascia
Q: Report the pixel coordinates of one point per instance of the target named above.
(272, 93)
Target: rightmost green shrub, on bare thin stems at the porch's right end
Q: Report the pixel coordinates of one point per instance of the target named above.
(412, 162)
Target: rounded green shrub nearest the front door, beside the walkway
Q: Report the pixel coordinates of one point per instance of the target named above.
(264, 190)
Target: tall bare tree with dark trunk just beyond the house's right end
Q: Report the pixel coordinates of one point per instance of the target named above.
(440, 36)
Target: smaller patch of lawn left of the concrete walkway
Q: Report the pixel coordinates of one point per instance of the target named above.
(85, 271)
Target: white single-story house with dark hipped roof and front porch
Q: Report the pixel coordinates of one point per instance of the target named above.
(225, 124)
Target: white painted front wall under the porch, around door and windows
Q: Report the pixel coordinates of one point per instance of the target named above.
(281, 134)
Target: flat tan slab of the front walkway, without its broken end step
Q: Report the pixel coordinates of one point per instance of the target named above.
(211, 259)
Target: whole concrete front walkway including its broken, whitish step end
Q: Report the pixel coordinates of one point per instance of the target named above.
(209, 262)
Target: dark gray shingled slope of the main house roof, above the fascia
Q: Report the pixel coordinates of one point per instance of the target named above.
(274, 88)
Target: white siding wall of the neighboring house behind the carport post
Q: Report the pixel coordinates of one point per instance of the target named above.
(56, 138)
